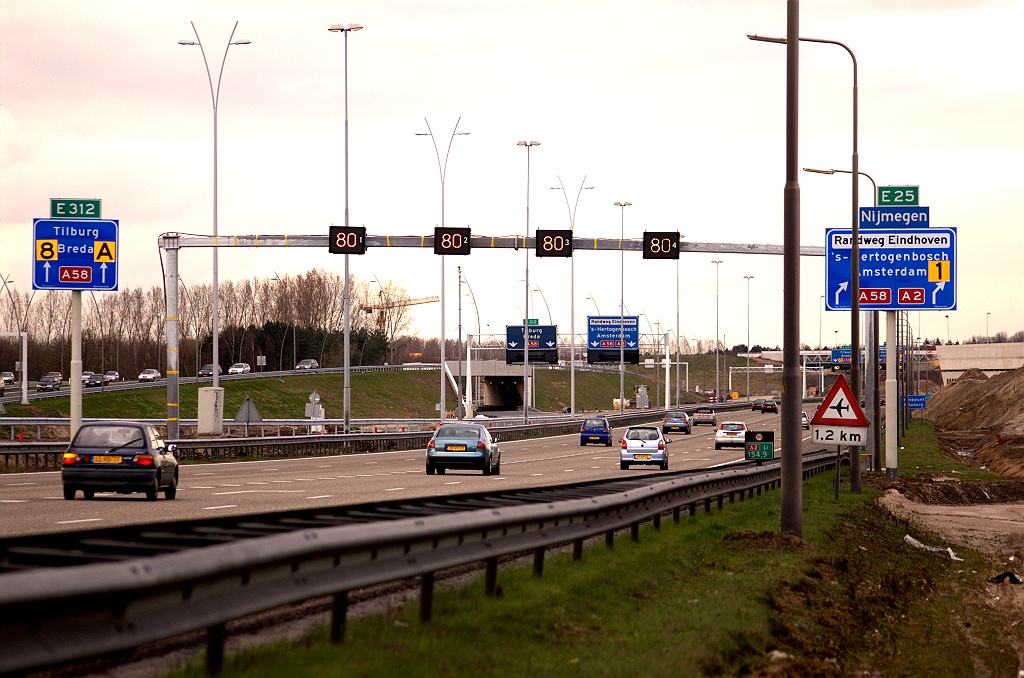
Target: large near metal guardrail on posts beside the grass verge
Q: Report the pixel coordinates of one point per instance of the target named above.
(50, 617)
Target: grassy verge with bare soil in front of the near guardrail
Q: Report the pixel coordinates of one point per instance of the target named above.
(693, 602)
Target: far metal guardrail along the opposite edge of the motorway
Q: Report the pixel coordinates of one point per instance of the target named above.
(49, 455)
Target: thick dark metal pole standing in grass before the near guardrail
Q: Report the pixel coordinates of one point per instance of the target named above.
(792, 483)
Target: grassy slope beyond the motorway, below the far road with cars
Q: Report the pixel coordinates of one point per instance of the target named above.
(375, 395)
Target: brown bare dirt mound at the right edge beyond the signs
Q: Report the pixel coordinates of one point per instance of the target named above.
(984, 418)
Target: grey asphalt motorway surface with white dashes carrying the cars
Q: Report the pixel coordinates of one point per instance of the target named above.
(32, 503)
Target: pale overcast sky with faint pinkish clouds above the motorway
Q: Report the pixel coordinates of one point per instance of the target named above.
(666, 105)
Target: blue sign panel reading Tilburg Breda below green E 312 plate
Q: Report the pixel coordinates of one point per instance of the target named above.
(75, 255)
